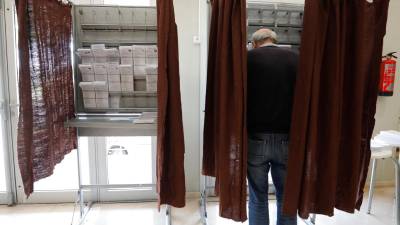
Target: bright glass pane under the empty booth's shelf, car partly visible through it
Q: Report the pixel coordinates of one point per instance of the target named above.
(129, 160)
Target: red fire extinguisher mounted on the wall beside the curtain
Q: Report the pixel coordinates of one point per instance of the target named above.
(388, 74)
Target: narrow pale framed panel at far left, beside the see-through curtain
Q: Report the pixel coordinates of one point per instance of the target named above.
(8, 103)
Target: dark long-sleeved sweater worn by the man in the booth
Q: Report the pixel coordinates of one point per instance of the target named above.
(270, 88)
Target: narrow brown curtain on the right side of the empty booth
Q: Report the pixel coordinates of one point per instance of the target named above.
(170, 140)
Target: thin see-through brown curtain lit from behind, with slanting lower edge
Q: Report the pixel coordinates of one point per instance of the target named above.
(45, 88)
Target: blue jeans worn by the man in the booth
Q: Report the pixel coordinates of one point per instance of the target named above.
(267, 151)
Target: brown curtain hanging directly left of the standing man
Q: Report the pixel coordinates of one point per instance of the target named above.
(225, 135)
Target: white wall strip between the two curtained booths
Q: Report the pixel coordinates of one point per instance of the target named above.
(187, 19)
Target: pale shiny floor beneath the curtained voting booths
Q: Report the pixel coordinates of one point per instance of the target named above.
(147, 214)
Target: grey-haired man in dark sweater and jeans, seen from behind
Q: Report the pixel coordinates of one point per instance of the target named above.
(271, 81)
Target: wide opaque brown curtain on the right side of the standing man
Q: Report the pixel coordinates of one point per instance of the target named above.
(334, 105)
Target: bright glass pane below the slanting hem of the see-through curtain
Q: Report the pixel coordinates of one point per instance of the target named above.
(65, 176)
